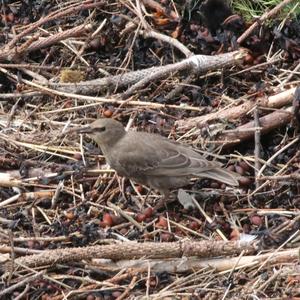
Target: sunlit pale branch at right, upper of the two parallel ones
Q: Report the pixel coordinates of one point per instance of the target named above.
(233, 113)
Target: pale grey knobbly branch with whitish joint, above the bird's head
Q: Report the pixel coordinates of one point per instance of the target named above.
(200, 63)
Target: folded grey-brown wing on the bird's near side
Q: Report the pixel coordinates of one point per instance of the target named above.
(151, 156)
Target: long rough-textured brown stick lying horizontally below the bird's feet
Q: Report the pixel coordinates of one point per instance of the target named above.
(132, 250)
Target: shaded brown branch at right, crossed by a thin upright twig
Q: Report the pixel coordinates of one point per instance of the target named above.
(247, 131)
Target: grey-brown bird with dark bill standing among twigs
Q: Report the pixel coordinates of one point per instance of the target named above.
(151, 159)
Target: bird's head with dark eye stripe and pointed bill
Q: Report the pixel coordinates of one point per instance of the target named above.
(104, 132)
